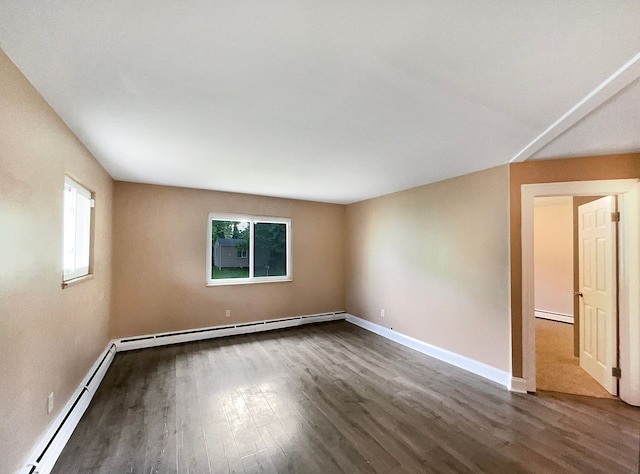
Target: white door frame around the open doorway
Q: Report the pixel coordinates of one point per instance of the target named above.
(629, 275)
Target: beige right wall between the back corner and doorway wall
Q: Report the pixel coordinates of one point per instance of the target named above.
(436, 258)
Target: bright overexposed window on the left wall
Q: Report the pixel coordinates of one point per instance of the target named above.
(77, 230)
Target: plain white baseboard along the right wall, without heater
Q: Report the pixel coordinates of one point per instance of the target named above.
(463, 362)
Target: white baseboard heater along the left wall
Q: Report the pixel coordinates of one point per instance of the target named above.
(45, 453)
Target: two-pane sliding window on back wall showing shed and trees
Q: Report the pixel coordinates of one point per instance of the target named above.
(248, 249)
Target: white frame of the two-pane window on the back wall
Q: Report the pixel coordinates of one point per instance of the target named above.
(252, 221)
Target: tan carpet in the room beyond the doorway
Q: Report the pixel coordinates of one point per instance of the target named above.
(557, 369)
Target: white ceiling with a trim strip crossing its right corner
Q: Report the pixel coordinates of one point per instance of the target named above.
(332, 101)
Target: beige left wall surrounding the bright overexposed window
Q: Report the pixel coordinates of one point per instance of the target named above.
(49, 337)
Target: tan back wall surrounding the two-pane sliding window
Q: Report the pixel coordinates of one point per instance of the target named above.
(160, 243)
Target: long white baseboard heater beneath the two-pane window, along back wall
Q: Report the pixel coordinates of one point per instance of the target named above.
(191, 335)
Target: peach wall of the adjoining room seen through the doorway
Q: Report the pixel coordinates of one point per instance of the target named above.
(553, 254)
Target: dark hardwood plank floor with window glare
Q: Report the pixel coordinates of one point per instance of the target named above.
(334, 398)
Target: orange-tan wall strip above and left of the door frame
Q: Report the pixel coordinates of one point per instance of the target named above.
(551, 171)
